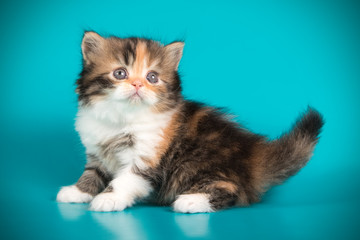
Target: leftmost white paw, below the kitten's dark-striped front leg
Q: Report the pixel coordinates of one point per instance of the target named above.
(73, 194)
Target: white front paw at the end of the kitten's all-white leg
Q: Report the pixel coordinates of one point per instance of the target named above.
(107, 202)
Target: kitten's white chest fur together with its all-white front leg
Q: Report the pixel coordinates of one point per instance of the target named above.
(107, 119)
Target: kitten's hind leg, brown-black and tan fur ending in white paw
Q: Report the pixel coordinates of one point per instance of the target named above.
(210, 198)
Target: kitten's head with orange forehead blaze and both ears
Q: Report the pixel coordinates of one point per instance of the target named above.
(133, 71)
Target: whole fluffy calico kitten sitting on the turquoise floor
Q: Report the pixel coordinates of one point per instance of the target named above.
(144, 141)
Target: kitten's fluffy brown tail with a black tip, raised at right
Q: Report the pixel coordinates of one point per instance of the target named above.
(286, 155)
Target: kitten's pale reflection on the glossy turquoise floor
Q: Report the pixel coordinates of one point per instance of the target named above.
(138, 223)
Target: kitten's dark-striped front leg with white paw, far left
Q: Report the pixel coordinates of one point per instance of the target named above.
(94, 179)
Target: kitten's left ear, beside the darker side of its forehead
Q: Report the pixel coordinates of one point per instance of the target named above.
(91, 45)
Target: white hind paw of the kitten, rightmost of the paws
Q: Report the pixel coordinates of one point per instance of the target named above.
(192, 203)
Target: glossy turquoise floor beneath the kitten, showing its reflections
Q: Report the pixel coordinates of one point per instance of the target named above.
(41, 218)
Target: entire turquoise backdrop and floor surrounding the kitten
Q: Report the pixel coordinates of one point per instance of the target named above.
(264, 60)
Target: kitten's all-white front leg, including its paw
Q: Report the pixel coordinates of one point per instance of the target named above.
(121, 193)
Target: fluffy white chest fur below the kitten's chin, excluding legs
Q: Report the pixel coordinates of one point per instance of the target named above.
(105, 122)
